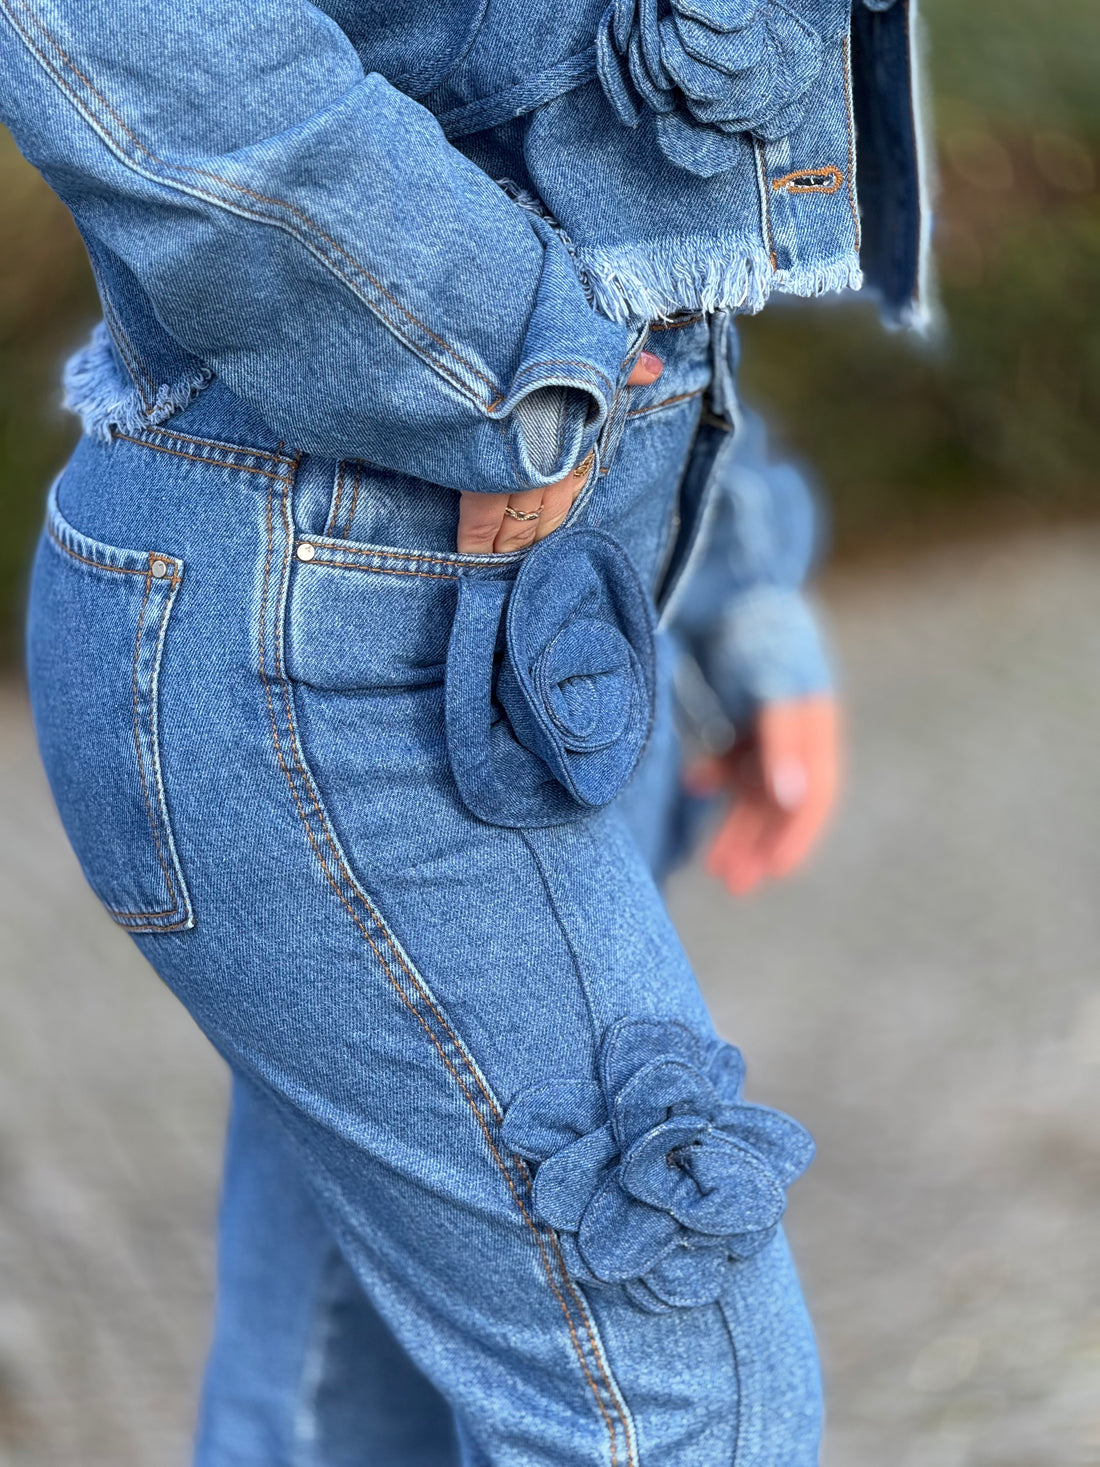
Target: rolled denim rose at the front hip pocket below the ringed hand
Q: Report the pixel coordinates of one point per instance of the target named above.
(551, 683)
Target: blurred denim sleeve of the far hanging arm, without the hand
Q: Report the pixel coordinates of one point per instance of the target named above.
(744, 617)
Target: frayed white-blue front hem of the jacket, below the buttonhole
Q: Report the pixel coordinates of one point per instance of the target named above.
(703, 275)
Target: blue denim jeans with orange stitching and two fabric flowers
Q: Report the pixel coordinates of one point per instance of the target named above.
(494, 1192)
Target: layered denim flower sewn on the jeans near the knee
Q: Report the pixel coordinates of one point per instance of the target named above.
(658, 1177)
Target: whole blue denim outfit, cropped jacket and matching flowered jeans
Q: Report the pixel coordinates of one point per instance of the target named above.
(385, 816)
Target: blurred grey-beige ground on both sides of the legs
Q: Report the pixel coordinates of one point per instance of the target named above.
(926, 998)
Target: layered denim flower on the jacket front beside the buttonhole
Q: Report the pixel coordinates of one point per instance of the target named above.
(709, 70)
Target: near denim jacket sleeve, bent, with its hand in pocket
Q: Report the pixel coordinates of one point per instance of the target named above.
(309, 234)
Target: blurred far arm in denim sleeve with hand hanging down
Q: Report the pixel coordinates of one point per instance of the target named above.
(750, 632)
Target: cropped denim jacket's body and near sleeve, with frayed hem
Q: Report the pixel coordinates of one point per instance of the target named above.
(269, 194)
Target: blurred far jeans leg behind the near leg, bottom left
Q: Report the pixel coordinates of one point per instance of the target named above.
(301, 1372)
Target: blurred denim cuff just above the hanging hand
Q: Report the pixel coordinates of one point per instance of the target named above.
(766, 648)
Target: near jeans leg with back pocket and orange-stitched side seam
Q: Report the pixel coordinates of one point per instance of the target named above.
(397, 978)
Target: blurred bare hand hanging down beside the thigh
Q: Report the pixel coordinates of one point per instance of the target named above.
(784, 778)
